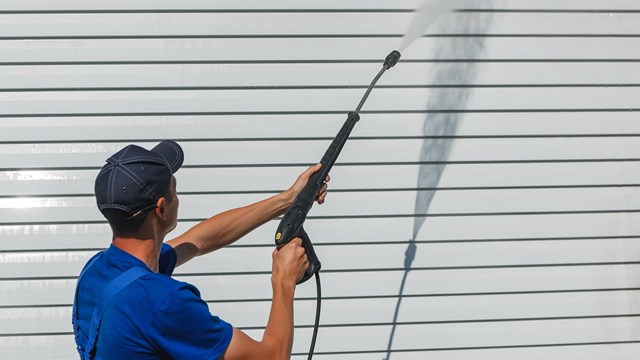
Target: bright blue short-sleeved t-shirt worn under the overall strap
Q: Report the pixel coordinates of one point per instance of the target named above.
(155, 317)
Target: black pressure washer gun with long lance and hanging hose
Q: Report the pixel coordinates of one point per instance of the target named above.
(291, 225)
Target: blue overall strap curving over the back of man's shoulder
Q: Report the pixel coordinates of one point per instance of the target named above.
(87, 347)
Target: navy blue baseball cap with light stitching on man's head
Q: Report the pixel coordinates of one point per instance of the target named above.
(134, 178)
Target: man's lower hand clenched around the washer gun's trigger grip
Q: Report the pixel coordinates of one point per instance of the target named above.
(289, 263)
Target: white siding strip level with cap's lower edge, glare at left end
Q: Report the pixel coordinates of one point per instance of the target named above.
(378, 204)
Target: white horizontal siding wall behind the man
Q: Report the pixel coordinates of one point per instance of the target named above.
(529, 245)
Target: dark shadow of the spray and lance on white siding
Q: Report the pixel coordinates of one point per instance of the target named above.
(441, 124)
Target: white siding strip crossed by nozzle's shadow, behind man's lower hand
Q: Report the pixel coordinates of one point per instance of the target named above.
(340, 258)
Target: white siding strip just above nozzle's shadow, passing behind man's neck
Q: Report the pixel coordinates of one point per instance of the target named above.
(397, 229)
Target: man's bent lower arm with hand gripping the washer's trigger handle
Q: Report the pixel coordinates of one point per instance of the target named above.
(289, 264)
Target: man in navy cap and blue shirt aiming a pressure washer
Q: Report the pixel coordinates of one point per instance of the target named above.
(127, 306)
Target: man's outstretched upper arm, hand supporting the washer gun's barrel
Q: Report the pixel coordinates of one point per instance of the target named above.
(229, 226)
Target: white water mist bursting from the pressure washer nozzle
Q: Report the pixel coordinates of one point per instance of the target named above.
(424, 17)
